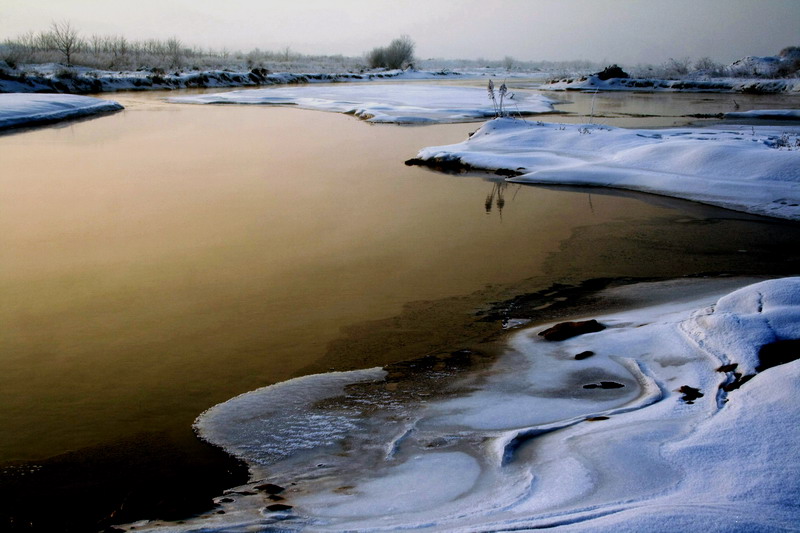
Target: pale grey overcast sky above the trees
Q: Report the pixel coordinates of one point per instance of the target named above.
(622, 31)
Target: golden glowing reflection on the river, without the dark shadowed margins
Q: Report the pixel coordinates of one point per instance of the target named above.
(163, 259)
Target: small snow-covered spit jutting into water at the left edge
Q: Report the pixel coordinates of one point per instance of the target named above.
(17, 110)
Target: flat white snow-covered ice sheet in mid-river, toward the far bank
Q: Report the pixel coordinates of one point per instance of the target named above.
(396, 103)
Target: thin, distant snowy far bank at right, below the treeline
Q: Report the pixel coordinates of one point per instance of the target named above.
(714, 85)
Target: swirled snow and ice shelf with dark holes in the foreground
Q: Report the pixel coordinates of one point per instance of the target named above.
(644, 456)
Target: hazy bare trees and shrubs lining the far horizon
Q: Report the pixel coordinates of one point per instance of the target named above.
(63, 43)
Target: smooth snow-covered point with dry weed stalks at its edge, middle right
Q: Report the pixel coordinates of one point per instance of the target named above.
(755, 169)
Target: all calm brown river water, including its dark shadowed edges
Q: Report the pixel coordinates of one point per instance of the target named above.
(163, 259)
